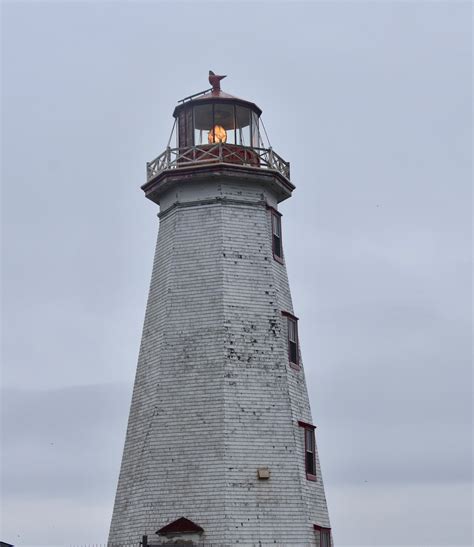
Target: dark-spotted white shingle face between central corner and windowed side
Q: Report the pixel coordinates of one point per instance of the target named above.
(258, 426)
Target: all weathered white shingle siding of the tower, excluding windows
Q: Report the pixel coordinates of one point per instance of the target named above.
(215, 397)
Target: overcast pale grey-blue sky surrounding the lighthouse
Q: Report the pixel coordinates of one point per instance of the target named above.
(371, 103)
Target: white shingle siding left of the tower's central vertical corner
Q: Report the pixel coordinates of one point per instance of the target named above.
(173, 457)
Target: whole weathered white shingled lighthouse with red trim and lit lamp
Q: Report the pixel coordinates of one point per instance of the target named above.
(220, 446)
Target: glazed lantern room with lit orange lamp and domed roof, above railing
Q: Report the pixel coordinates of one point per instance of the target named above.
(217, 117)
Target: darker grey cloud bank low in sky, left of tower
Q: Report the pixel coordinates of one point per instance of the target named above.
(63, 443)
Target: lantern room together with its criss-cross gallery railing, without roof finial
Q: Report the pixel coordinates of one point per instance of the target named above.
(243, 144)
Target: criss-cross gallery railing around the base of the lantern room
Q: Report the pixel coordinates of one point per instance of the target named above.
(176, 158)
